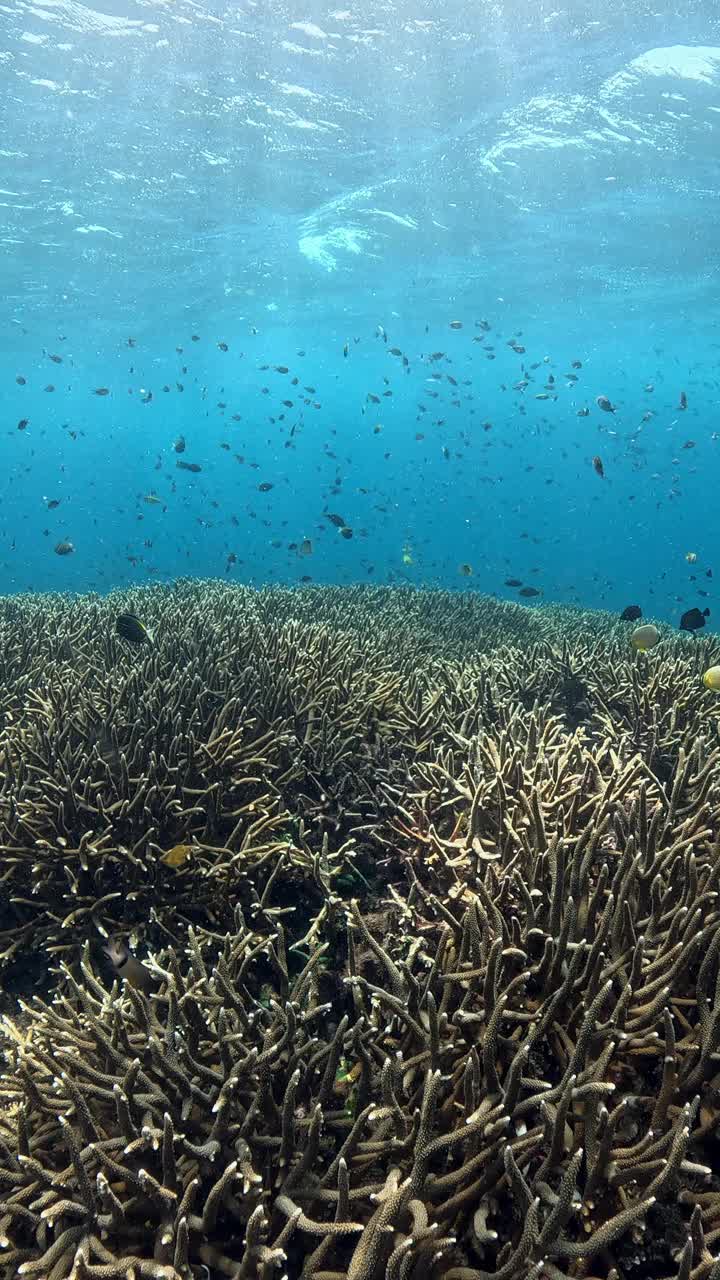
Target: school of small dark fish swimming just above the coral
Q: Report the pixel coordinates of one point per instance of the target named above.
(438, 400)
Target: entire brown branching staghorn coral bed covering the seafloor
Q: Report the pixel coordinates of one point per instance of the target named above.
(435, 993)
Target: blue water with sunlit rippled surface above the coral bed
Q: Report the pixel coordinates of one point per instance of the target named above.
(286, 179)
